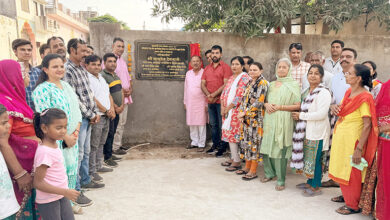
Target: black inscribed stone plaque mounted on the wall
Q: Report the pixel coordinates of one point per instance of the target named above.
(161, 60)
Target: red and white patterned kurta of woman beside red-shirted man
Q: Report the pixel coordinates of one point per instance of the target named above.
(232, 135)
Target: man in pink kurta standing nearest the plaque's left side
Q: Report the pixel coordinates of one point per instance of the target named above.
(121, 70)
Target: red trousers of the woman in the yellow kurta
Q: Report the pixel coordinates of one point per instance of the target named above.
(351, 192)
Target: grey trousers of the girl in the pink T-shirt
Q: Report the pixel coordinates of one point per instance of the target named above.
(57, 210)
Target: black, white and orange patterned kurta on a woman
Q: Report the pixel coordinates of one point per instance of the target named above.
(252, 127)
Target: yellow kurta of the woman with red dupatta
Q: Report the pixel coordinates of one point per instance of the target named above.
(345, 137)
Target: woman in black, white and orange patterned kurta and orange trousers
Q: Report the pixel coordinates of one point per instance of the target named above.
(251, 116)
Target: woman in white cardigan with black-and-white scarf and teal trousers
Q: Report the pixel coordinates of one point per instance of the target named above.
(312, 132)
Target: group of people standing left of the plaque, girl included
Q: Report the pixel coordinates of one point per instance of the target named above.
(61, 126)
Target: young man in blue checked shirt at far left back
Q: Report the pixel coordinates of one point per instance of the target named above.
(23, 52)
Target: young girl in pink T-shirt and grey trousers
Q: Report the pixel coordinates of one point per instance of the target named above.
(50, 178)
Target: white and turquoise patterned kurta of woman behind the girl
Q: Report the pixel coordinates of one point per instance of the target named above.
(48, 95)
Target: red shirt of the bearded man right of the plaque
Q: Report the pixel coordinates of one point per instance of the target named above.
(214, 77)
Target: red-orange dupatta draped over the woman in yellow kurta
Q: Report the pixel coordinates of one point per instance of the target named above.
(348, 106)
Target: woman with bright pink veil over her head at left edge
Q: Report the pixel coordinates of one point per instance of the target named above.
(22, 143)
